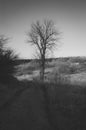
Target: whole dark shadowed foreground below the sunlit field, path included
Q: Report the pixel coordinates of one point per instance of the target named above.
(38, 106)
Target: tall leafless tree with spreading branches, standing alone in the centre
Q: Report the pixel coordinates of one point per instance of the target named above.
(45, 37)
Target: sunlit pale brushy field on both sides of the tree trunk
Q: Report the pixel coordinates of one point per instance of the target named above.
(64, 70)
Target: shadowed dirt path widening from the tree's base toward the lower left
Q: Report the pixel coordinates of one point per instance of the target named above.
(26, 112)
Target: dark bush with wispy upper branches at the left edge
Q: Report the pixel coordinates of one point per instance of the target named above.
(7, 61)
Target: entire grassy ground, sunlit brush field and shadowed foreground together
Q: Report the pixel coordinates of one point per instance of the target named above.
(59, 104)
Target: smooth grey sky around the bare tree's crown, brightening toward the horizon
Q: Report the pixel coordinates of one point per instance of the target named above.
(69, 16)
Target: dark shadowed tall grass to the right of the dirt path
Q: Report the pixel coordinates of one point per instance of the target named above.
(67, 106)
